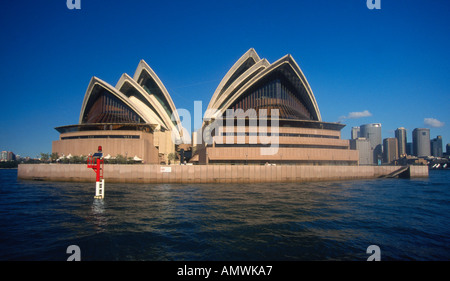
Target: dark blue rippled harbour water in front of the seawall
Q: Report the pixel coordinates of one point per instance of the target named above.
(408, 219)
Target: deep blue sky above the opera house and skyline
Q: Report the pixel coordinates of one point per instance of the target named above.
(393, 62)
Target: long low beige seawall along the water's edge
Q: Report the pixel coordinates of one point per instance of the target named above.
(147, 173)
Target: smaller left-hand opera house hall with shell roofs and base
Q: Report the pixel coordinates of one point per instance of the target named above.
(136, 118)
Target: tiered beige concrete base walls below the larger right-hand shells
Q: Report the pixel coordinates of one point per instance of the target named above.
(319, 149)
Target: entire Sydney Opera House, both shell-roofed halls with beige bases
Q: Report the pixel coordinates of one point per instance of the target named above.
(261, 113)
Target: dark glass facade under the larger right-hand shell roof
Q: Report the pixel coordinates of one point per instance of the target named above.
(274, 93)
